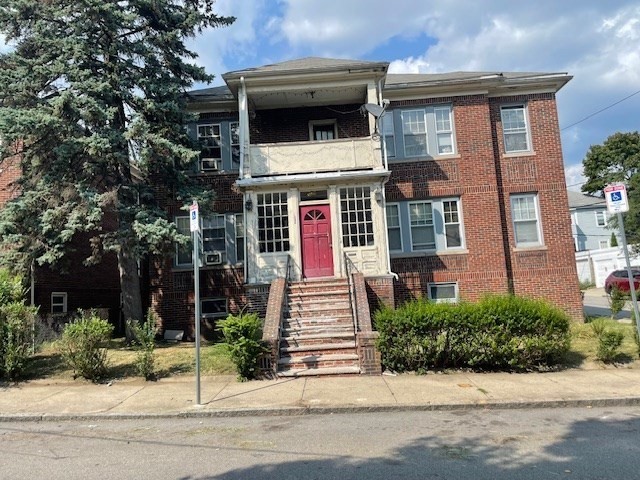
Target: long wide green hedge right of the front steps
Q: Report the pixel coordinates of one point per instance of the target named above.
(497, 333)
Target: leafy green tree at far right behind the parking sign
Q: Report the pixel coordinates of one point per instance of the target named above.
(617, 160)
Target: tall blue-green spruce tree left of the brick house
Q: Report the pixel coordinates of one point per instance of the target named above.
(92, 104)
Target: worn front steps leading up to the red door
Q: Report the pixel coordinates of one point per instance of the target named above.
(317, 333)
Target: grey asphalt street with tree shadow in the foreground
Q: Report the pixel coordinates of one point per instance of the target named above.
(567, 443)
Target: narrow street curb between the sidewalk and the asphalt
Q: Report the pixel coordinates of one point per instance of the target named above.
(300, 411)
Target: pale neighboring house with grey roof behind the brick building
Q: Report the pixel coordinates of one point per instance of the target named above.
(589, 222)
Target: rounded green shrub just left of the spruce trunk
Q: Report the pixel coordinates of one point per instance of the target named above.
(82, 345)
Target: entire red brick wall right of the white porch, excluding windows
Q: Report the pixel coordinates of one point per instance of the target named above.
(483, 179)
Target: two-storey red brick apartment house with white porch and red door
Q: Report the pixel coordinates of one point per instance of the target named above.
(334, 175)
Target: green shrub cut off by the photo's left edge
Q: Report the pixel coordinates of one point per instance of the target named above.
(17, 322)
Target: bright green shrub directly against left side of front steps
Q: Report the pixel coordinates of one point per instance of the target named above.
(243, 334)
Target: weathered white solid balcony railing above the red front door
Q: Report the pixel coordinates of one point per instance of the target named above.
(306, 157)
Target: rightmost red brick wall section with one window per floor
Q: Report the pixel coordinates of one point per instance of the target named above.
(549, 272)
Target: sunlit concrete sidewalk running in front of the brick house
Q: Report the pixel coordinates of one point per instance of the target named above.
(224, 396)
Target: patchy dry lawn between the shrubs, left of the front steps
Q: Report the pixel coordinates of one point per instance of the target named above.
(171, 359)
